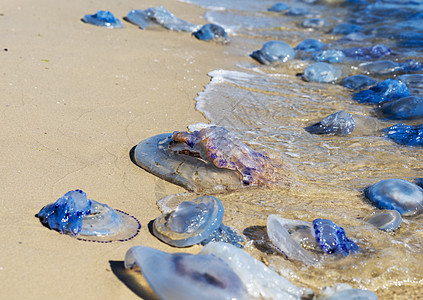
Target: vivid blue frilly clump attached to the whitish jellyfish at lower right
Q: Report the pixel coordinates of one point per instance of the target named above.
(332, 238)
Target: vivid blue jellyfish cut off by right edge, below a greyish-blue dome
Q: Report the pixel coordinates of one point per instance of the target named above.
(408, 135)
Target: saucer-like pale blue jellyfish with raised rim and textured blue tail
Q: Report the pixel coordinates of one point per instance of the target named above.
(193, 222)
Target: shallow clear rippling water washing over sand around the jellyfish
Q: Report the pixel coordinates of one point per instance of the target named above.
(268, 108)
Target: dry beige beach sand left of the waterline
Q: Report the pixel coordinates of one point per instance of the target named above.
(75, 99)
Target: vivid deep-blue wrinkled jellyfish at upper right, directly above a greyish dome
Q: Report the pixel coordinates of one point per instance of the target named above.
(386, 90)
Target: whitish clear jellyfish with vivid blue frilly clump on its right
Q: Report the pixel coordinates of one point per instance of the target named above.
(294, 237)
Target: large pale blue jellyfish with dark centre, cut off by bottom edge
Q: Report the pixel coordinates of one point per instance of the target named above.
(182, 276)
